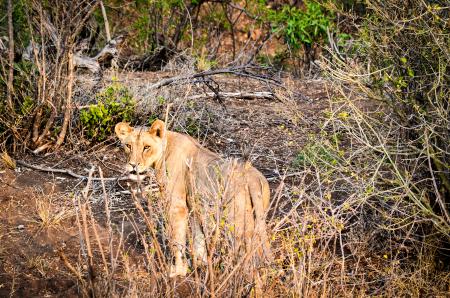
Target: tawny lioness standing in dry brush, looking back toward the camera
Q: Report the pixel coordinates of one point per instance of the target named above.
(196, 179)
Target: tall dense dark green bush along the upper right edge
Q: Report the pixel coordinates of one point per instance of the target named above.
(408, 48)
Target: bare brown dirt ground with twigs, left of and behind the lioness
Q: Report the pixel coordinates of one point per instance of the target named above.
(38, 222)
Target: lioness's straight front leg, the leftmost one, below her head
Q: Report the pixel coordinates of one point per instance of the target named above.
(178, 222)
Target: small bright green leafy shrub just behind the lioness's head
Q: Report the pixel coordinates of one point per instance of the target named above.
(114, 104)
